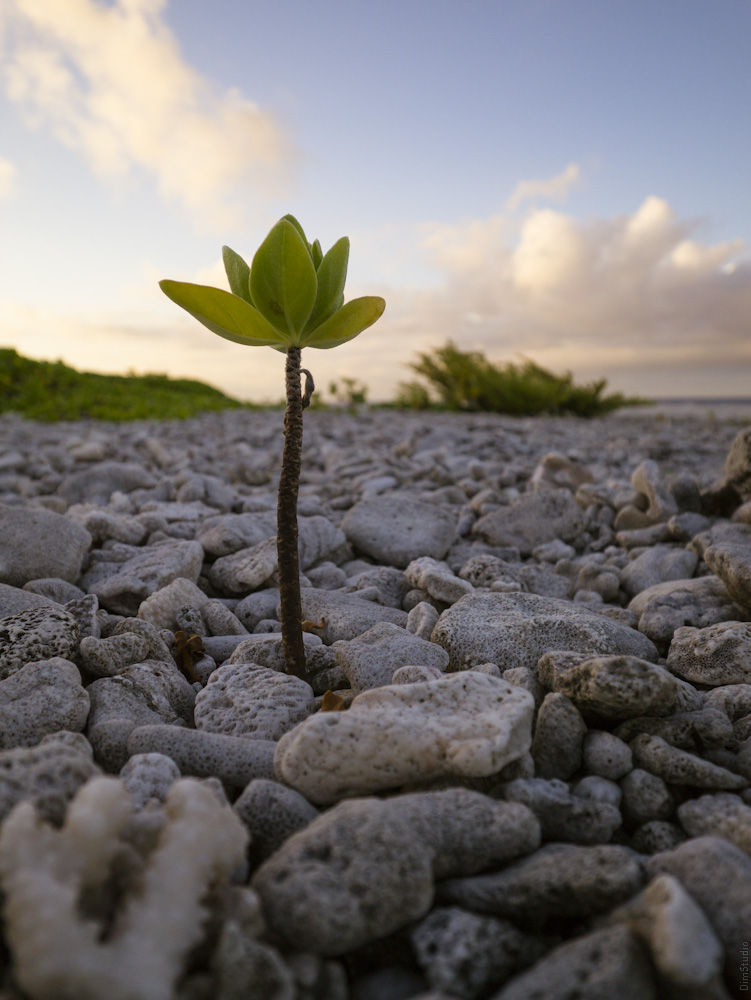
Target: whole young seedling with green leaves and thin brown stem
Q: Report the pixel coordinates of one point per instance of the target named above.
(291, 296)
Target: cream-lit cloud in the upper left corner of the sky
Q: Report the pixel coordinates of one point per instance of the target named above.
(109, 81)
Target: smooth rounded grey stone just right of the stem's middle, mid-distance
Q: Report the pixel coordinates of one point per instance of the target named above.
(396, 530)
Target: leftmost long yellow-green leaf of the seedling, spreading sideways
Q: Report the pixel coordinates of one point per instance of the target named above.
(224, 314)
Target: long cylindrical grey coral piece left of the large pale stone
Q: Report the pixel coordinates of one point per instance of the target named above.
(204, 755)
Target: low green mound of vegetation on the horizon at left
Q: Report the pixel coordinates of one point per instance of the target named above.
(50, 390)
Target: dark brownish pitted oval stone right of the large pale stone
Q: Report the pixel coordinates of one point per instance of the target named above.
(618, 687)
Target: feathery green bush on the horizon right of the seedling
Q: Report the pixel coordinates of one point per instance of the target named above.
(466, 380)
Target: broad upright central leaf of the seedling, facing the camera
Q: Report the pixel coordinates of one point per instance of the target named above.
(283, 282)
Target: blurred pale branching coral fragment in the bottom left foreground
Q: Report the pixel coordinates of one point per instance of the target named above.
(62, 953)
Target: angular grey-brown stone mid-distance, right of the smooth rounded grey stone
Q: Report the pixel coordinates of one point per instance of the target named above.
(533, 519)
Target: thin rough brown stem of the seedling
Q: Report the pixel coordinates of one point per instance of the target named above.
(286, 538)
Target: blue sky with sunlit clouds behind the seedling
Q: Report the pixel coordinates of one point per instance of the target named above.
(560, 180)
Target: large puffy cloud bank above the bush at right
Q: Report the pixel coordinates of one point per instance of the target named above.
(610, 297)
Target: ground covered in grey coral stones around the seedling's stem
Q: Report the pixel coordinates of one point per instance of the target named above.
(532, 779)
